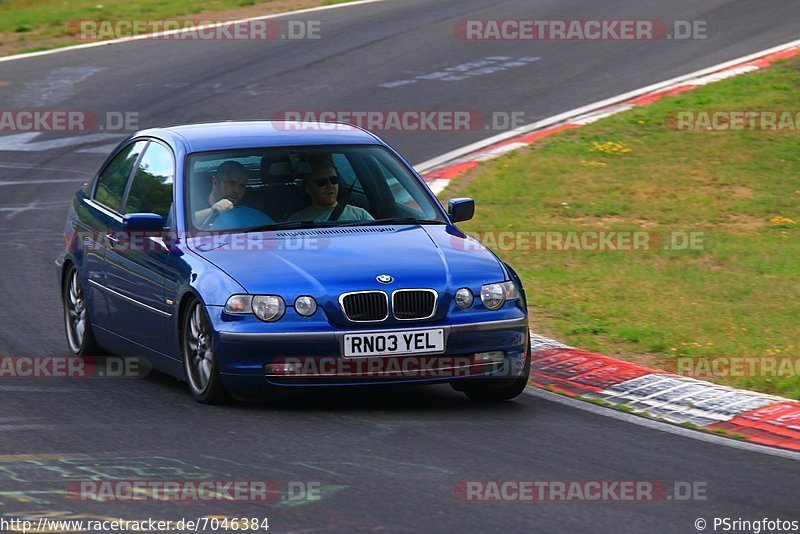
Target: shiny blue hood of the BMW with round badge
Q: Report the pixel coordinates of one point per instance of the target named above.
(326, 262)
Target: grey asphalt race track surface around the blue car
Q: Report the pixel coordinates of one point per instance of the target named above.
(386, 460)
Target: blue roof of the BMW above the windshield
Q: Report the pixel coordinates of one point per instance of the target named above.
(255, 134)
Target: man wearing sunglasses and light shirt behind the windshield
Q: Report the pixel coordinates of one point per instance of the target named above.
(322, 185)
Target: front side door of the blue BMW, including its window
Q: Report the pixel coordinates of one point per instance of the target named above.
(135, 261)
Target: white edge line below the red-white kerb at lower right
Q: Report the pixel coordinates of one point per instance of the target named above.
(663, 427)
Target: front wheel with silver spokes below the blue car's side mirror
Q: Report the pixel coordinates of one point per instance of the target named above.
(199, 356)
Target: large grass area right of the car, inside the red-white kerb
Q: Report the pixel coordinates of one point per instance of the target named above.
(738, 296)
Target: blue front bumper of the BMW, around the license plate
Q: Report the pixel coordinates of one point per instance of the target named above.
(251, 360)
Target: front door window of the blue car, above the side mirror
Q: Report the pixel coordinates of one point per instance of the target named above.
(151, 190)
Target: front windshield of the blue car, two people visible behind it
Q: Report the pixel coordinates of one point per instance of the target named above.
(294, 187)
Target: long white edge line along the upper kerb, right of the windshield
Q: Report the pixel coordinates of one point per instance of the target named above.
(430, 164)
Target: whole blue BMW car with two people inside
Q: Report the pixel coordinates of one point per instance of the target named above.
(245, 257)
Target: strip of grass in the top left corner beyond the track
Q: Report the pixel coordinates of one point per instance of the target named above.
(30, 26)
